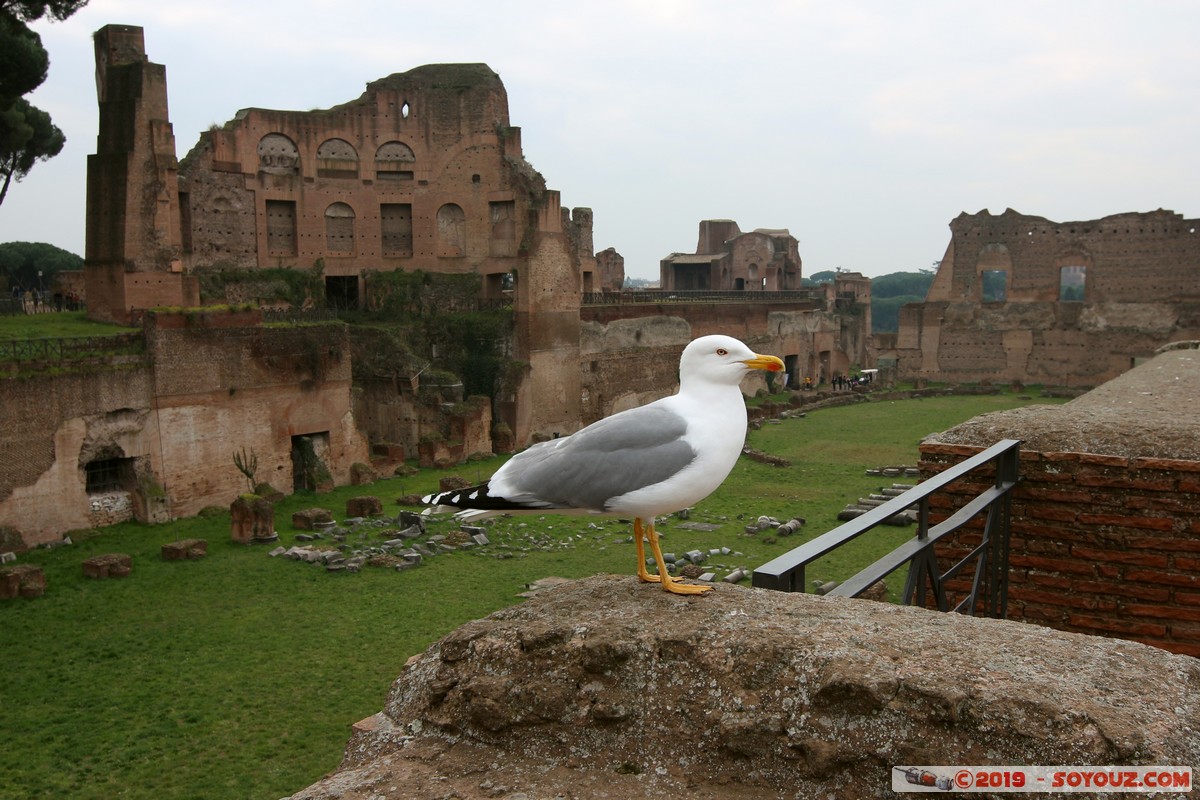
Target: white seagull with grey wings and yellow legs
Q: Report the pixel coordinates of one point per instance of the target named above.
(641, 464)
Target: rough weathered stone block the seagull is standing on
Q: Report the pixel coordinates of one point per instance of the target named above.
(610, 688)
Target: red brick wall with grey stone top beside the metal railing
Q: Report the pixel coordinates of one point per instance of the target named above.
(1107, 515)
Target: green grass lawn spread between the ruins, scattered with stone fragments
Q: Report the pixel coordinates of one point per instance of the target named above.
(239, 676)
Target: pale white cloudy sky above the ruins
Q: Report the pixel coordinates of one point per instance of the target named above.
(863, 127)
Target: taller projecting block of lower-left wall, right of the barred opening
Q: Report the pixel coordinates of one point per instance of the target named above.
(224, 383)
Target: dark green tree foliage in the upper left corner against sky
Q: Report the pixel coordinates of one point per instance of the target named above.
(27, 134)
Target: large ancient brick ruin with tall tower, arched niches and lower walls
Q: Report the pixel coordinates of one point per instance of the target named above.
(423, 172)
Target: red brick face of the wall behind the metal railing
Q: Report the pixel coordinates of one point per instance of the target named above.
(1103, 545)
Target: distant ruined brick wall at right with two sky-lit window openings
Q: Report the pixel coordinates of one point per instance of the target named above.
(1022, 298)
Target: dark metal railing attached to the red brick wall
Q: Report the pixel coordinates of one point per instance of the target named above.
(989, 587)
